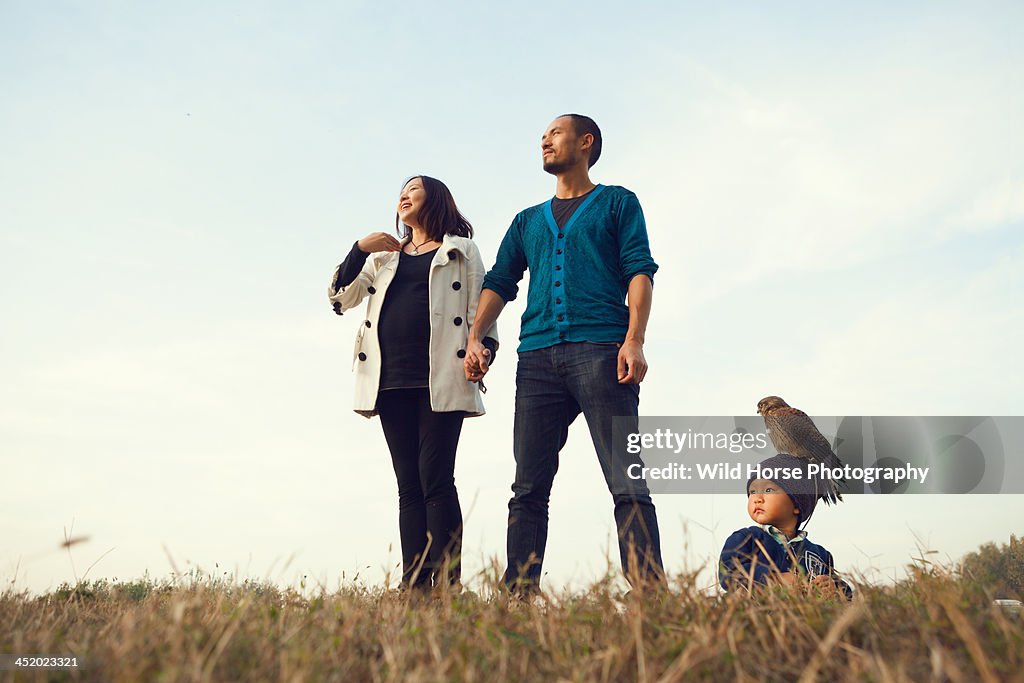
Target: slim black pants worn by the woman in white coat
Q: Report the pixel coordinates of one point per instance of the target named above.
(423, 446)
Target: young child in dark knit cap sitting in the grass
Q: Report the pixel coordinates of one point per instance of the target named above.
(776, 550)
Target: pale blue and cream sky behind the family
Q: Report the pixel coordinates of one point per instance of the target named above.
(835, 194)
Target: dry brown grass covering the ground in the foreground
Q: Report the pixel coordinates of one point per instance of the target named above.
(932, 627)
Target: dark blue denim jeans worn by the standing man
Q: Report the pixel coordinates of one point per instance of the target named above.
(553, 387)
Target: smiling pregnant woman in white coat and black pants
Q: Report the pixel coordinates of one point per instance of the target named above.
(422, 293)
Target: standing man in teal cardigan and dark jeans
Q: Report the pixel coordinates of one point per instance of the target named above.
(581, 347)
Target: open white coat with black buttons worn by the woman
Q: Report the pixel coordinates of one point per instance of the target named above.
(454, 285)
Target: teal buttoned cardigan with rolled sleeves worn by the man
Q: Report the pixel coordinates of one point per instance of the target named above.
(579, 275)
